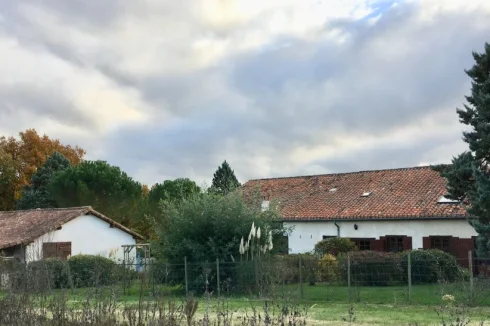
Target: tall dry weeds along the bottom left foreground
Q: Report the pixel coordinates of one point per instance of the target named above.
(103, 307)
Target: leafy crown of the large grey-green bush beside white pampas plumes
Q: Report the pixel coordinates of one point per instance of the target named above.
(210, 226)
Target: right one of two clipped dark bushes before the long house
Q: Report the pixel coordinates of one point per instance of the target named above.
(432, 266)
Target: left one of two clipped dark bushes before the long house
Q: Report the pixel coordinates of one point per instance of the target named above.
(373, 268)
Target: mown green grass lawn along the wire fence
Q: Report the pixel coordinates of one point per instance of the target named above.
(329, 305)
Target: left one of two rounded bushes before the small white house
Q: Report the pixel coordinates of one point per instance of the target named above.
(48, 274)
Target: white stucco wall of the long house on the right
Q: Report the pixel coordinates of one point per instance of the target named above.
(305, 235)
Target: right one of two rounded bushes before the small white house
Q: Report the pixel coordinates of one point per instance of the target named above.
(88, 270)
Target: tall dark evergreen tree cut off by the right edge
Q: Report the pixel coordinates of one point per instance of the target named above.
(469, 174)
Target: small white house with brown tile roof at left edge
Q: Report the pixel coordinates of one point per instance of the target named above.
(30, 235)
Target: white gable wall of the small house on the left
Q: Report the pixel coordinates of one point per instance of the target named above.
(88, 235)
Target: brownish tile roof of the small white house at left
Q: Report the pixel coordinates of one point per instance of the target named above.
(24, 226)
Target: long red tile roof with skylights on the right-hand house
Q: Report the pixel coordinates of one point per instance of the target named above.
(395, 194)
